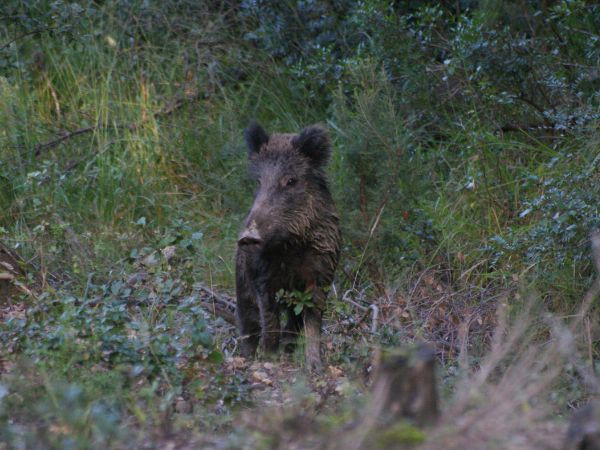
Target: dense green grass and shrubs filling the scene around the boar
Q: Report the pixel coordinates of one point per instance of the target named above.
(466, 170)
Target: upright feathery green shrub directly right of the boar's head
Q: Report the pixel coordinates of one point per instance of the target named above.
(379, 172)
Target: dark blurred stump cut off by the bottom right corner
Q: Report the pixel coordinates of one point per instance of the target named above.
(584, 429)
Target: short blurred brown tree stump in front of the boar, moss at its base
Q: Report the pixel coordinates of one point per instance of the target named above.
(405, 386)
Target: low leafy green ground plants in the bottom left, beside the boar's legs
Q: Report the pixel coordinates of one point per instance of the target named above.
(89, 362)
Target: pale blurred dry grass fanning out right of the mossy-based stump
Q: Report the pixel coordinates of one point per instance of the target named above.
(506, 403)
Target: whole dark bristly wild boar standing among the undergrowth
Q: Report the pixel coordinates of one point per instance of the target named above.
(290, 240)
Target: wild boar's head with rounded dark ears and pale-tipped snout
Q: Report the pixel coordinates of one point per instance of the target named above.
(291, 187)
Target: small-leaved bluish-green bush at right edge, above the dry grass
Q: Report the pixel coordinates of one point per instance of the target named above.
(554, 226)
